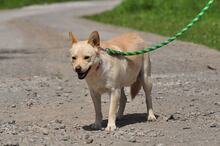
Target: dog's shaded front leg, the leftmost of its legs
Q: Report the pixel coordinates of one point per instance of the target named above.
(96, 98)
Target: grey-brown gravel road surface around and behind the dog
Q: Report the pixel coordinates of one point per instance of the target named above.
(43, 103)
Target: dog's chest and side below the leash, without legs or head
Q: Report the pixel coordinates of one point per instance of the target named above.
(113, 73)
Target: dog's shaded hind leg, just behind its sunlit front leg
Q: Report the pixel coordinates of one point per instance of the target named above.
(122, 104)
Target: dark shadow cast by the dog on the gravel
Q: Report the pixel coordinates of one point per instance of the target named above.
(128, 119)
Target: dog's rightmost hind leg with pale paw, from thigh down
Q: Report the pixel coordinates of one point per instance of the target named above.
(147, 86)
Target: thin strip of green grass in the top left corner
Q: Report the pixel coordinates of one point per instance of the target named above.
(9, 4)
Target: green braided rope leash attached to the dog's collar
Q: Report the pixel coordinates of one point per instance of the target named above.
(164, 43)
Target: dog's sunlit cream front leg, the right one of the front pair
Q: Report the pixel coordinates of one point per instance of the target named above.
(115, 97)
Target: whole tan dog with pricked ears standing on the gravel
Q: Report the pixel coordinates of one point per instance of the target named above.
(110, 74)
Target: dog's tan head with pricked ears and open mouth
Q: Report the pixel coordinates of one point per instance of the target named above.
(84, 54)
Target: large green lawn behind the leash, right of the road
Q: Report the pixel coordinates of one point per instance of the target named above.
(166, 17)
